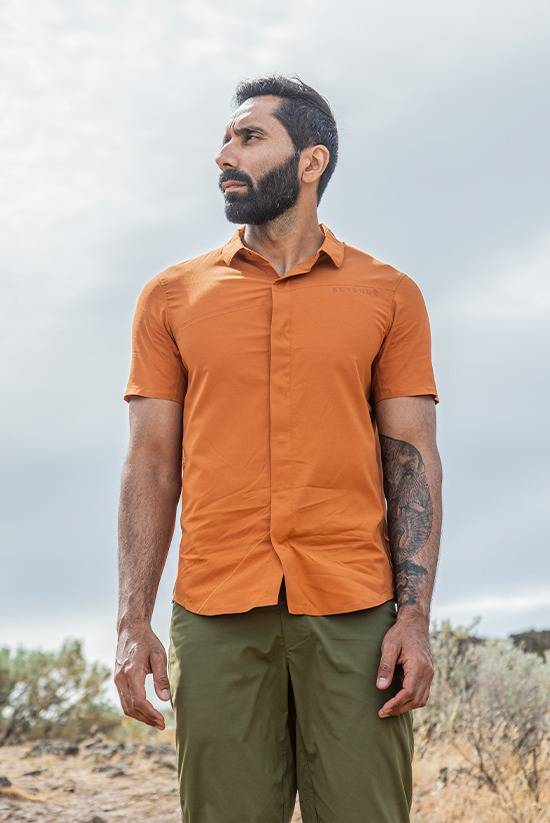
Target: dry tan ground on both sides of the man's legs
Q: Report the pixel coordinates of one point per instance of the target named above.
(100, 781)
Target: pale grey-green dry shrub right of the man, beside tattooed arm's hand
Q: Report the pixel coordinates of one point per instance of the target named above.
(494, 697)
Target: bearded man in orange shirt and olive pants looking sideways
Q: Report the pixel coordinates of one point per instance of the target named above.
(290, 373)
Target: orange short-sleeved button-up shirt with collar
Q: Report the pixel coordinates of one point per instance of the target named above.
(277, 377)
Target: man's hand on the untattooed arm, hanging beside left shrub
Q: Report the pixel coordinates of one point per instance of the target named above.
(139, 653)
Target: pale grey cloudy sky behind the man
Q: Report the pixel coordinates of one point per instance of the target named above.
(112, 114)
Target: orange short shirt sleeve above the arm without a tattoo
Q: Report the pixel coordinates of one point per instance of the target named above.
(156, 366)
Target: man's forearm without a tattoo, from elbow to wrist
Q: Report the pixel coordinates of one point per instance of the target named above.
(148, 501)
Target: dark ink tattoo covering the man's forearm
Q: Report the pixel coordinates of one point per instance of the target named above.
(410, 514)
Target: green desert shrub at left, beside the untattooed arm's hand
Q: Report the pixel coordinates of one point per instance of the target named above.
(52, 694)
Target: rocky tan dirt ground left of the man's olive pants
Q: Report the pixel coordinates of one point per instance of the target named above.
(98, 781)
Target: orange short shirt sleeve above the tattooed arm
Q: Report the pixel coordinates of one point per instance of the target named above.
(403, 365)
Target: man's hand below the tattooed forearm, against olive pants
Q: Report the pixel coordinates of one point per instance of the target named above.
(407, 642)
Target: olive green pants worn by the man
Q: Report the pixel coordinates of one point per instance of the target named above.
(269, 703)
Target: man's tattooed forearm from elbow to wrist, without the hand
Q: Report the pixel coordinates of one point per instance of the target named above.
(412, 485)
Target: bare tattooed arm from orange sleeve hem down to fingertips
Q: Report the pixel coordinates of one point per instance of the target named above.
(412, 476)
